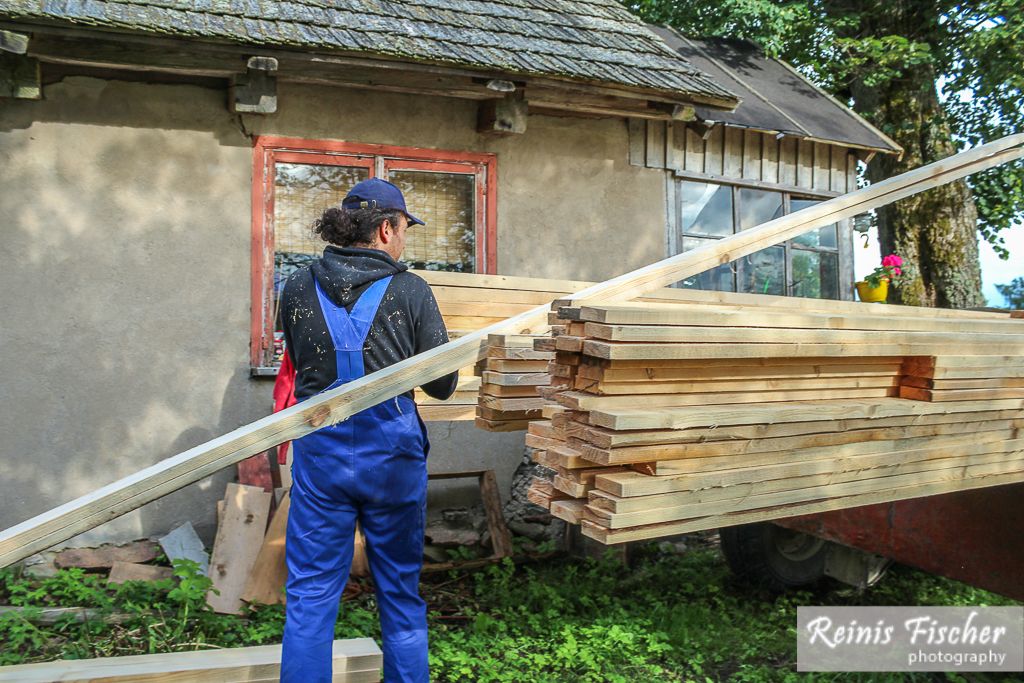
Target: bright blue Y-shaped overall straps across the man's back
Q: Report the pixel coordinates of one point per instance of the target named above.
(349, 331)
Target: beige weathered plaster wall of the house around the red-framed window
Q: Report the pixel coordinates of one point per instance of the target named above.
(125, 224)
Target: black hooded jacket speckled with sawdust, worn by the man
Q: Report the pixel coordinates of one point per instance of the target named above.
(407, 323)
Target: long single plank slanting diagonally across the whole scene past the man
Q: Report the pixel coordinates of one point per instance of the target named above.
(135, 491)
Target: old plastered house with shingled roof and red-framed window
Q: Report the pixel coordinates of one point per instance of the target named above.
(162, 162)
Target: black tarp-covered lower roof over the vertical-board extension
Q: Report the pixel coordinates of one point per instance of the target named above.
(775, 98)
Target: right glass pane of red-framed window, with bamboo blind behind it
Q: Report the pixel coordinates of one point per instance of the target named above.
(446, 202)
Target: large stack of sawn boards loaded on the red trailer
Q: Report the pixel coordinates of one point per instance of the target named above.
(682, 417)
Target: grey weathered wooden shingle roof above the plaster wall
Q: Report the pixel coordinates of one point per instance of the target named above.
(583, 40)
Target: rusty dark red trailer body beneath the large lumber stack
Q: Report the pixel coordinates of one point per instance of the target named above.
(976, 537)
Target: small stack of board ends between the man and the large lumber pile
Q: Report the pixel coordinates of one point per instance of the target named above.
(513, 380)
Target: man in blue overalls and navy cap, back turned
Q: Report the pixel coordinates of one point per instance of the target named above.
(352, 313)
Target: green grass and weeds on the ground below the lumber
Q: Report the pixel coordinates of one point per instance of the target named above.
(668, 618)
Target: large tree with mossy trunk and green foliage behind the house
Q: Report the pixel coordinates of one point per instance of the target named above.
(935, 76)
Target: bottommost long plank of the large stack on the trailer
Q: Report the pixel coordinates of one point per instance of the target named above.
(731, 520)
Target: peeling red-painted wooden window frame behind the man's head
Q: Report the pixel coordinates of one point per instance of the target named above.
(377, 159)
